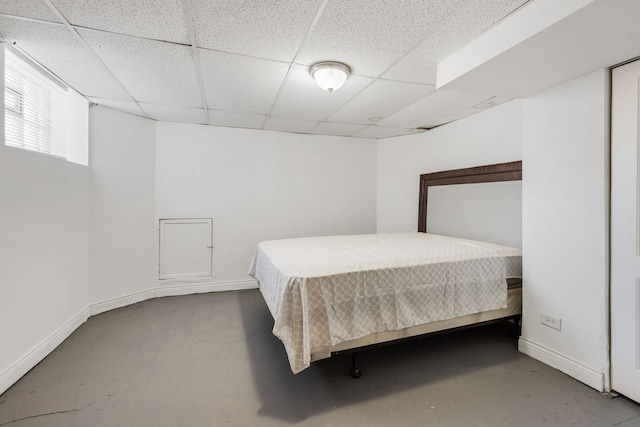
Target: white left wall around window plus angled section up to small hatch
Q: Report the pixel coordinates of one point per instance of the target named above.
(74, 238)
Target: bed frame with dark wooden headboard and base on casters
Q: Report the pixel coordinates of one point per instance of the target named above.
(481, 174)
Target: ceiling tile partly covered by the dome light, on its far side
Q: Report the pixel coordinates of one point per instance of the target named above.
(301, 98)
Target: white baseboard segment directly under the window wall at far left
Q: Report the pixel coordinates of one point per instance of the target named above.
(23, 365)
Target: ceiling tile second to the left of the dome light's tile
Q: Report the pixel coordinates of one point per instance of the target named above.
(152, 71)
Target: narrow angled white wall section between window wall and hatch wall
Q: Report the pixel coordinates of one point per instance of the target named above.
(123, 223)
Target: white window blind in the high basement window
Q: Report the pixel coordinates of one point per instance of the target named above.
(34, 109)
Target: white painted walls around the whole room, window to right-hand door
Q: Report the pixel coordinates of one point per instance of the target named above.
(59, 218)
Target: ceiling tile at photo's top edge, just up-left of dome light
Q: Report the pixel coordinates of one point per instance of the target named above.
(266, 29)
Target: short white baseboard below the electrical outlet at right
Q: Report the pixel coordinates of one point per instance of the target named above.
(562, 363)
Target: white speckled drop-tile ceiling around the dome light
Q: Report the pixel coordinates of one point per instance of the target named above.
(245, 64)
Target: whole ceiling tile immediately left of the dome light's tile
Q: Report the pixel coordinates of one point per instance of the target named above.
(240, 83)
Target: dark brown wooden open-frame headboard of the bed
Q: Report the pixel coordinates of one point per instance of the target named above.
(511, 171)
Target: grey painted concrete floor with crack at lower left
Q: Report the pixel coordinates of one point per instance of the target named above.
(211, 360)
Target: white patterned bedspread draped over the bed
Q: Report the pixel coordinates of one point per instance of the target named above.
(325, 290)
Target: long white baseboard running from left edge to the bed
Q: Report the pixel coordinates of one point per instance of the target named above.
(11, 375)
